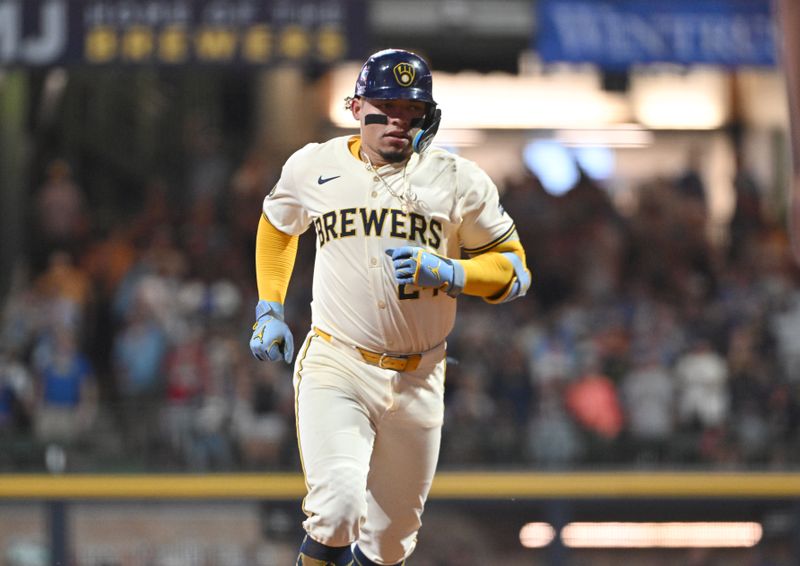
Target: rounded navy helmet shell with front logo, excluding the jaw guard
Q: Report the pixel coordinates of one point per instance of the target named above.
(395, 74)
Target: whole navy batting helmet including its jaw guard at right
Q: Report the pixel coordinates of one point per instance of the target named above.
(396, 74)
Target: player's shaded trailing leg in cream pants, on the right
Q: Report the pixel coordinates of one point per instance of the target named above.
(402, 468)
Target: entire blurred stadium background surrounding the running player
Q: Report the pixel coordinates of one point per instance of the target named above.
(643, 148)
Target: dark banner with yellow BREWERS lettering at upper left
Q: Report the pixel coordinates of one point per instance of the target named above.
(179, 32)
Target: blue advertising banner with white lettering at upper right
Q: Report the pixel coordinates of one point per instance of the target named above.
(616, 34)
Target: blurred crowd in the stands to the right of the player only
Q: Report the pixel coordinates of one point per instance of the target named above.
(645, 344)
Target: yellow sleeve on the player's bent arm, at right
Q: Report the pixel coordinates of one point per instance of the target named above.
(489, 274)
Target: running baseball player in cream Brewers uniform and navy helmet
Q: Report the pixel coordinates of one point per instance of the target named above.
(393, 218)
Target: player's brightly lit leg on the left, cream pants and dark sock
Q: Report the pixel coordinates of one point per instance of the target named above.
(335, 438)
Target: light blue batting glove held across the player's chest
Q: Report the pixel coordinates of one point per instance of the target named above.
(415, 266)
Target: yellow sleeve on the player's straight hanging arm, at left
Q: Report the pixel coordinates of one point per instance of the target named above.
(275, 255)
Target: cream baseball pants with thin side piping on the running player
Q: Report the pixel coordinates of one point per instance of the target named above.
(369, 443)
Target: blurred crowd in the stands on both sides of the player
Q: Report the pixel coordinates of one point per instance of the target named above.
(123, 341)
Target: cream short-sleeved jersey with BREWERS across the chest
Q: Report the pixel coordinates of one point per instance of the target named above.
(438, 201)
